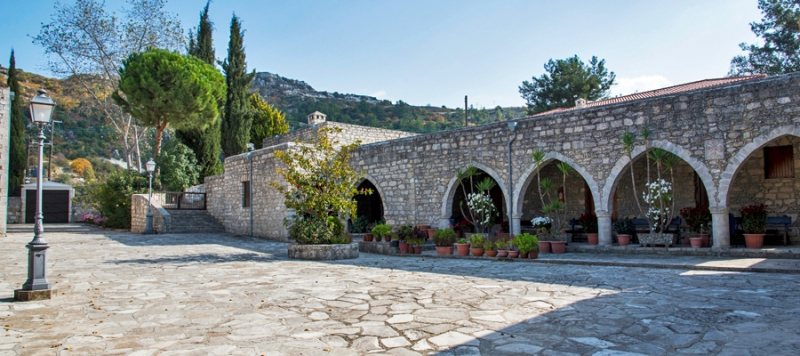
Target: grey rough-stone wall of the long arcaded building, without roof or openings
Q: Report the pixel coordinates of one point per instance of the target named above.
(713, 131)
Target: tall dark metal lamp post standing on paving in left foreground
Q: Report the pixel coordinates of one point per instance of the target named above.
(37, 287)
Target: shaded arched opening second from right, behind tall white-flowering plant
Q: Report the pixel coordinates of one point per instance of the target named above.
(688, 191)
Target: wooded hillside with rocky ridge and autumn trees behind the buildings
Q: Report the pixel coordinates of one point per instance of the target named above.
(83, 133)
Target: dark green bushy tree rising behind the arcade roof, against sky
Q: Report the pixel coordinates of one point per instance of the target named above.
(567, 80)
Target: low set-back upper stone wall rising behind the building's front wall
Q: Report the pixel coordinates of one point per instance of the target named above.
(350, 133)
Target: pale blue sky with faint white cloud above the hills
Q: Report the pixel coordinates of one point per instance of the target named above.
(436, 52)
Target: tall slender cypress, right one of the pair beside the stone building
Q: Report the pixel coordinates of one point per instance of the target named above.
(237, 118)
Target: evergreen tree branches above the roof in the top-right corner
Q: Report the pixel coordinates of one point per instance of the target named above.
(780, 31)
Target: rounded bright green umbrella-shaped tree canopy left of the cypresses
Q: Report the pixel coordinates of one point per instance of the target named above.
(159, 87)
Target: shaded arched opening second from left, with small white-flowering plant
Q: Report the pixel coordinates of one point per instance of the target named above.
(459, 213)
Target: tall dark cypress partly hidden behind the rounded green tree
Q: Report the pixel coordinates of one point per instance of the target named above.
(205, 143)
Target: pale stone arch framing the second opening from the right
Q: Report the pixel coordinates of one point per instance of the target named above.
(615, 175)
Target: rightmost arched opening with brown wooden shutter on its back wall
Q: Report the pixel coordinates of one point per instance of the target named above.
(769, 175)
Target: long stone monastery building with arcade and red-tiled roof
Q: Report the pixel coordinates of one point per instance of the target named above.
(738, 140)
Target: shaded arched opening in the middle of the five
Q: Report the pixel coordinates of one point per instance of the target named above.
(576, 194)
